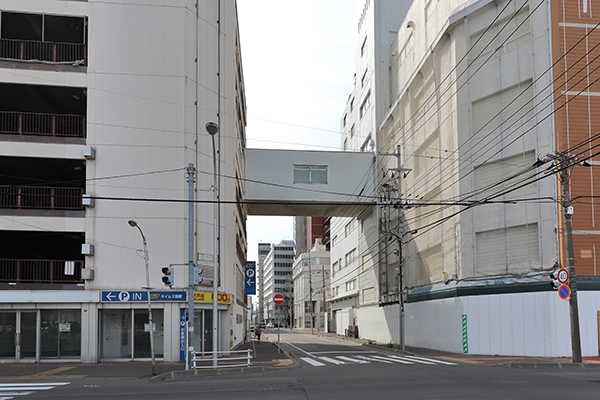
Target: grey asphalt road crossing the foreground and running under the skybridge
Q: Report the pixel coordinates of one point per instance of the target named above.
(379, 376)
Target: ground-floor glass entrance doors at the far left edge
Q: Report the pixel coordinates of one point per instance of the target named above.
(18, 335)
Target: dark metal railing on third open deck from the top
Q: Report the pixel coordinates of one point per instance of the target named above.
(44, 198)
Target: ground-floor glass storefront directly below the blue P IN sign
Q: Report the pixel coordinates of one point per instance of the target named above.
(125, 334)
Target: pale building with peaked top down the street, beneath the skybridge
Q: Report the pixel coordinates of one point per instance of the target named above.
(311, 287)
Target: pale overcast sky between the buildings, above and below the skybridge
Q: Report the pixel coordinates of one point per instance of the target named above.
(298, 60)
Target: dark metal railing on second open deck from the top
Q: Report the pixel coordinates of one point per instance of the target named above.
(57, 125)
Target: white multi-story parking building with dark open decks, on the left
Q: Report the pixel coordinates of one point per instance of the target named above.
(109, 100)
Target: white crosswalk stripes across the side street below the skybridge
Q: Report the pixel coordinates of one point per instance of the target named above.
(321, 361)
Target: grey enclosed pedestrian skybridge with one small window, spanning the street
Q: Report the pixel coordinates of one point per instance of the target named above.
(308, 183)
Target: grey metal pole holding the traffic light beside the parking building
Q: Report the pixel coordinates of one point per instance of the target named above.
(190, 173)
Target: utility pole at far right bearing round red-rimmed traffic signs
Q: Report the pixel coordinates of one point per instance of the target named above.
(569, 255)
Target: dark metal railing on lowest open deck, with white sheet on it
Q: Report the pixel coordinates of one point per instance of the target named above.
(40, 271)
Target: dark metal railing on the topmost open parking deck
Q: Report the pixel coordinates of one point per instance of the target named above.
(34, 50)
